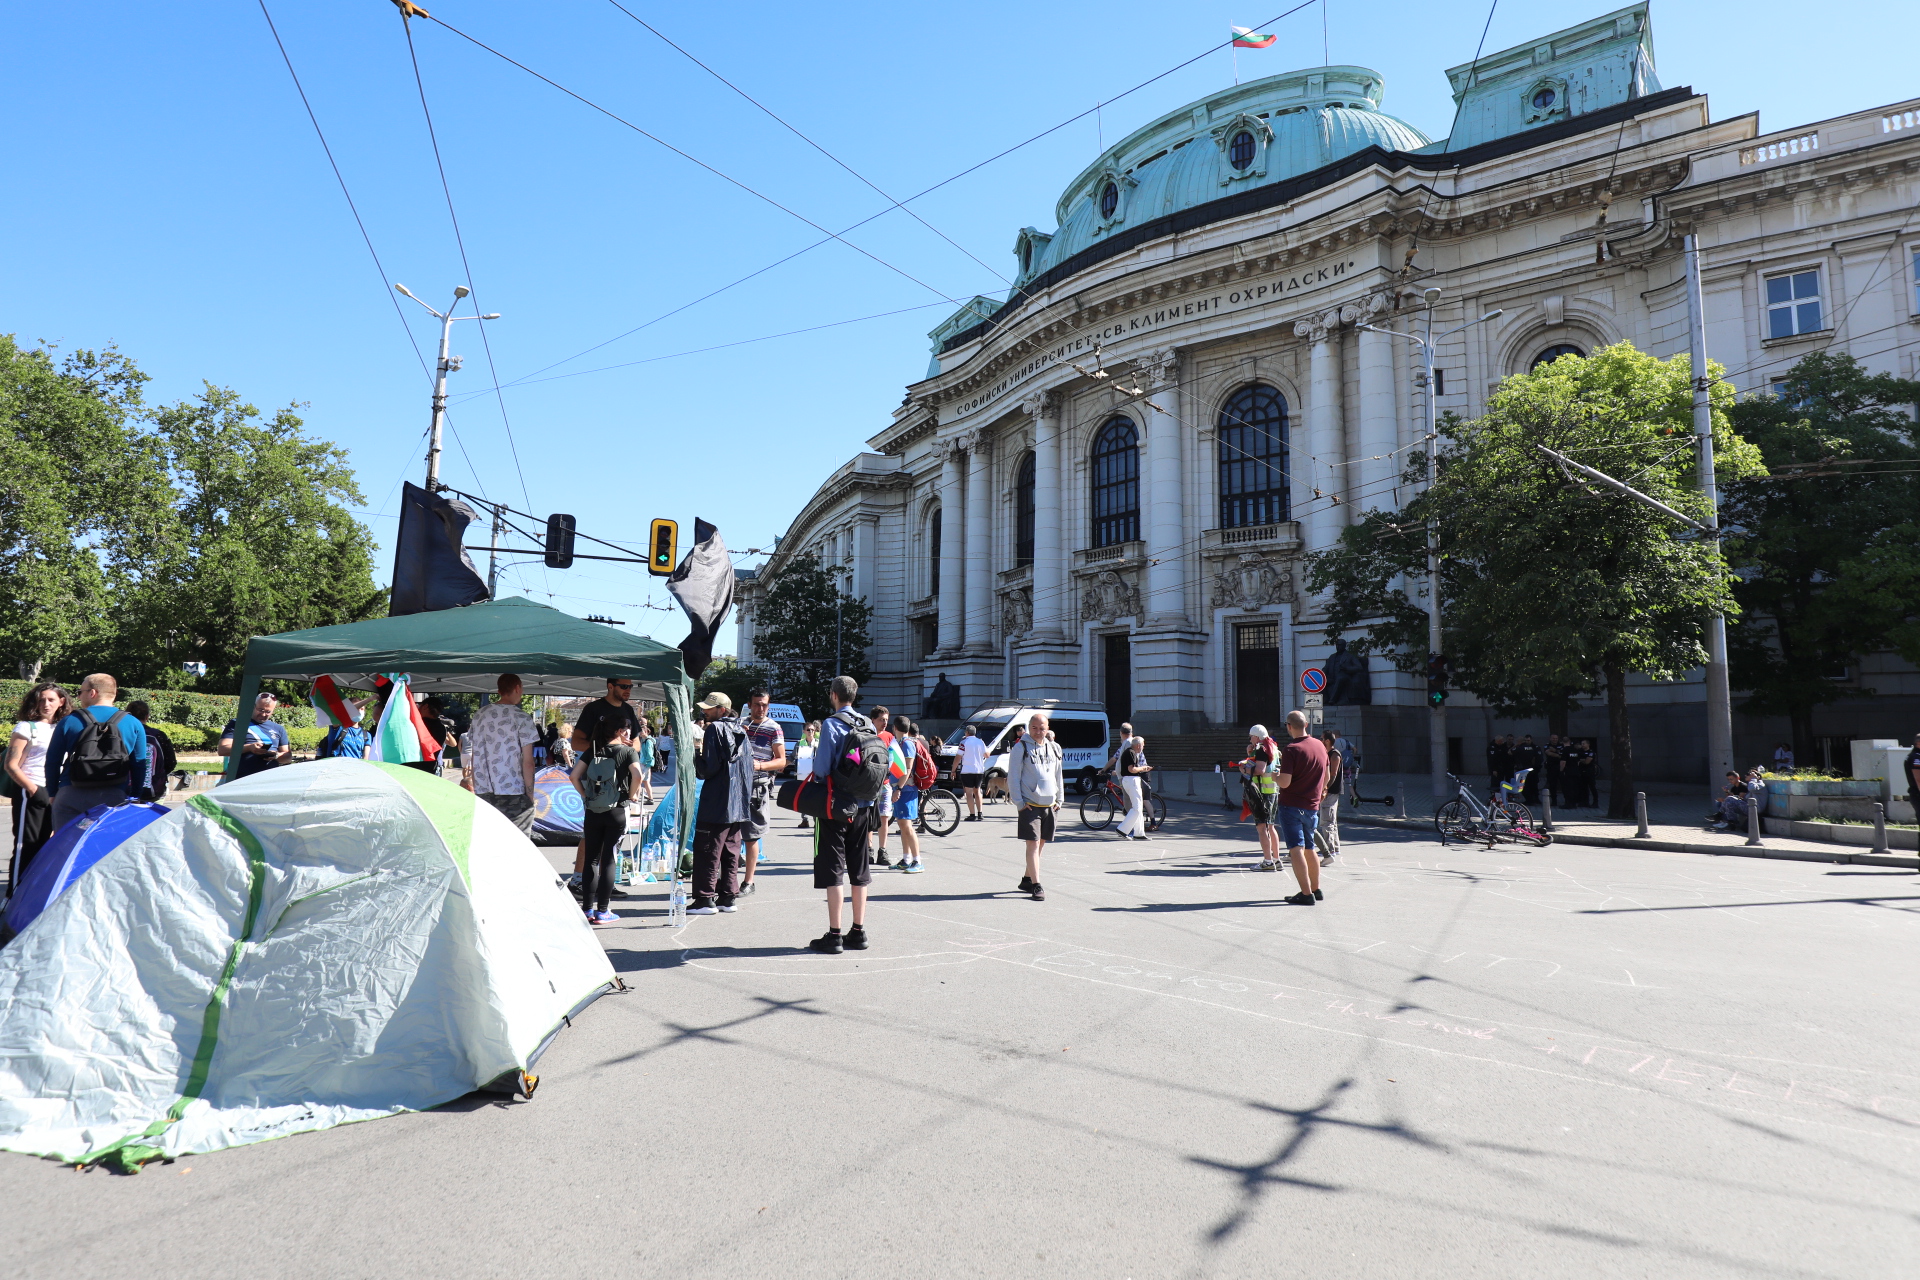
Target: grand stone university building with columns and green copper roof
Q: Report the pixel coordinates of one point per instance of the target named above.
(1105, 485)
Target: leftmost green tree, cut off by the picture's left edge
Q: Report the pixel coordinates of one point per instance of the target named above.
(72, 477)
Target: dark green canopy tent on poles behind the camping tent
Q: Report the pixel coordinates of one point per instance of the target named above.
(466, 650)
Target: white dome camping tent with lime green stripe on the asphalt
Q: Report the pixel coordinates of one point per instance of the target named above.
(302, 949)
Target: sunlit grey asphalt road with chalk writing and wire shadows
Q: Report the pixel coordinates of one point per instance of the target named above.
(1568, 1062)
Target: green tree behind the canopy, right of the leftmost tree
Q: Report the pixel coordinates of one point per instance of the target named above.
(254, 538)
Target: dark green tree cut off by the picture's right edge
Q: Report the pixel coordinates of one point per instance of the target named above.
(1825, 542)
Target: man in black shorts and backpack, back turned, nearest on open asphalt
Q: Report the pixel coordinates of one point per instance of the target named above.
(852, 763)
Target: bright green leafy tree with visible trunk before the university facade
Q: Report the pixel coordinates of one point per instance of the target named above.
(1552, 588)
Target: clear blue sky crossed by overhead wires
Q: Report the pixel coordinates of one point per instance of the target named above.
(168, 195)
